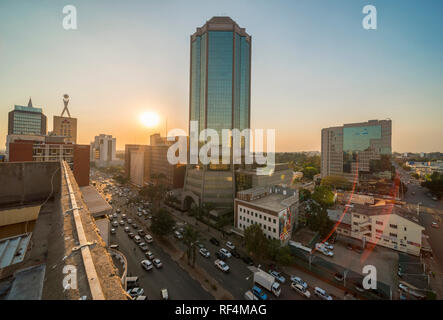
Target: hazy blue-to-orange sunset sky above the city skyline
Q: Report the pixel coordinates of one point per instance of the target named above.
(313, 65)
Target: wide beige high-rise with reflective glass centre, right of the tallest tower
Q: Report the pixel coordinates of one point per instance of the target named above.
(355, 147)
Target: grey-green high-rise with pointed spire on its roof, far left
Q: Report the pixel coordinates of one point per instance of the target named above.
(26, 120)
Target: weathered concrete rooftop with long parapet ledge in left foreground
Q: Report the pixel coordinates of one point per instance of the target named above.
(54, 237)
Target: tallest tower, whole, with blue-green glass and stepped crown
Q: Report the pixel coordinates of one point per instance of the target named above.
(220, 85)
